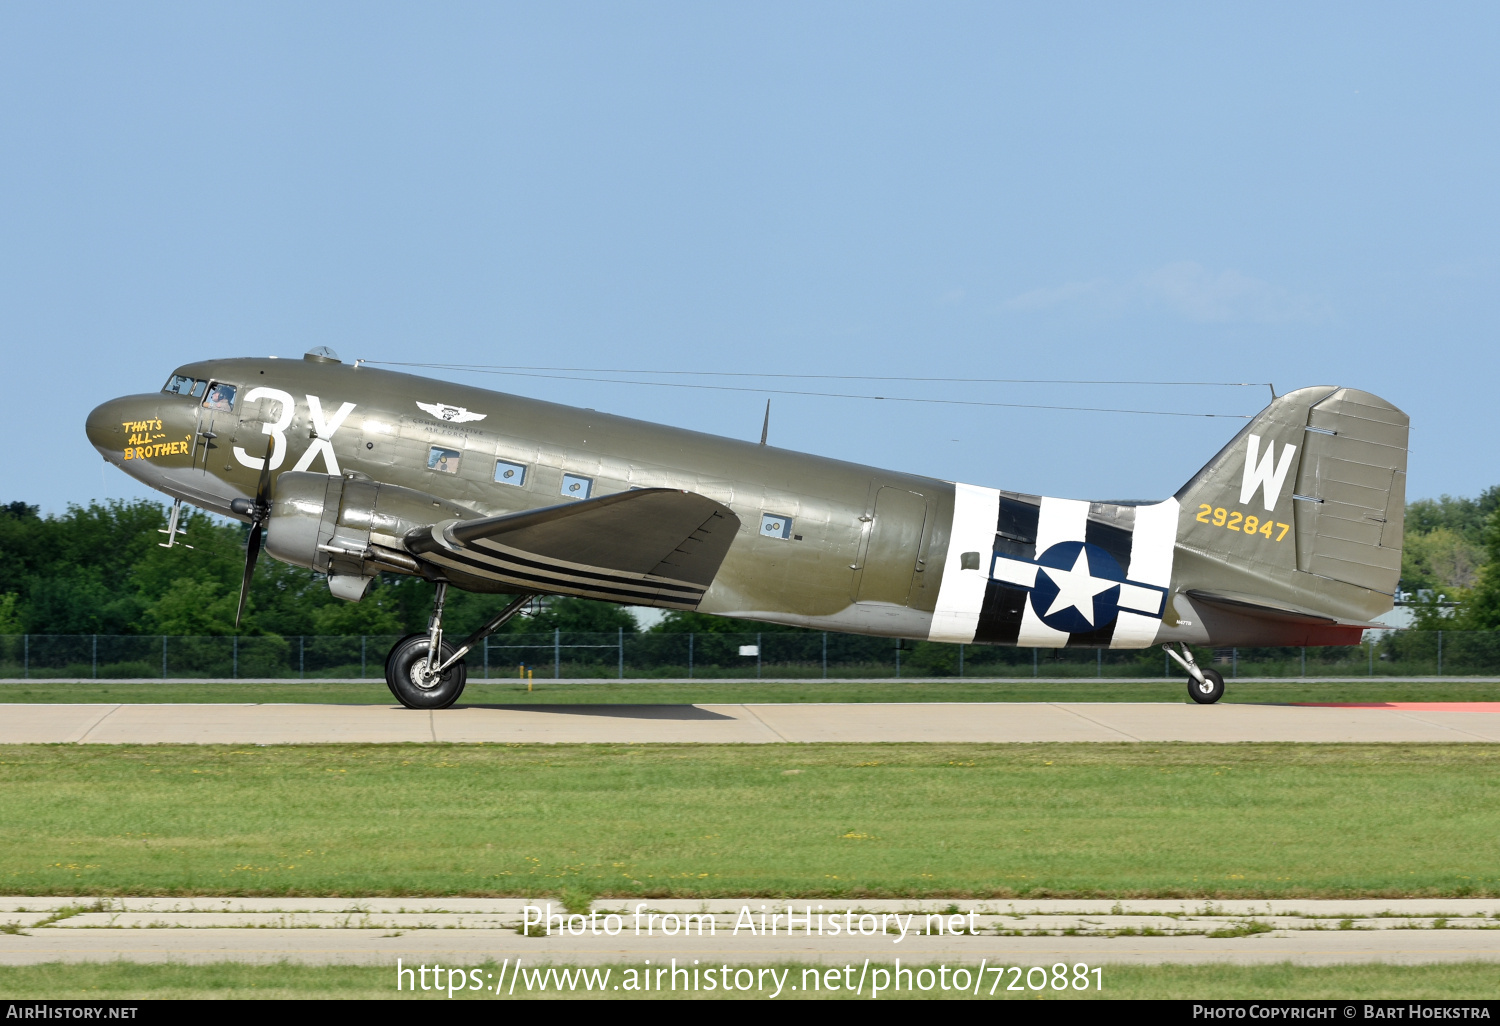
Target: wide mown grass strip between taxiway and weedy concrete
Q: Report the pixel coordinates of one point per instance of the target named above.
(1244, 821)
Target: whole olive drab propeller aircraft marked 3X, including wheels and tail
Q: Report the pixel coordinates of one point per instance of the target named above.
(1289, 536)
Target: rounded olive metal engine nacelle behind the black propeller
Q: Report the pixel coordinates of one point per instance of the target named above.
(349, 527)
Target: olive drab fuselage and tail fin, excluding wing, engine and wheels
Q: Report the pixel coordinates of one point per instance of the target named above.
(820, 542)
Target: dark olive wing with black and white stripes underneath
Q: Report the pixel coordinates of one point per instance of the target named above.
(653, 547)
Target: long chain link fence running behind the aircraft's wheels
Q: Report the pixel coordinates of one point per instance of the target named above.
(779, 655)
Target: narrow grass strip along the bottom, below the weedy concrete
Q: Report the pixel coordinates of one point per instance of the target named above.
(130, 980)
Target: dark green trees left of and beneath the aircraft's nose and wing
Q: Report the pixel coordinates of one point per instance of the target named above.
(101, 569)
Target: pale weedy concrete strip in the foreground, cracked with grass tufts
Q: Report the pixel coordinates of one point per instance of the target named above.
(466, 932)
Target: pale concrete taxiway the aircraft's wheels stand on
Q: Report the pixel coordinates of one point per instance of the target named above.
(769, 724)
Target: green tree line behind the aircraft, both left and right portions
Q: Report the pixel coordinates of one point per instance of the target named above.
(101, 569)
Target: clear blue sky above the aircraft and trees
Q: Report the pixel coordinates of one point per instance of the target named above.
(1300, 194)
